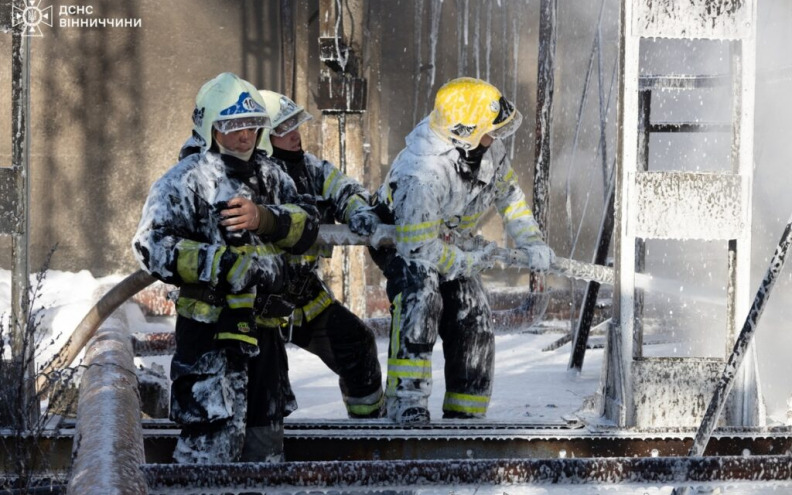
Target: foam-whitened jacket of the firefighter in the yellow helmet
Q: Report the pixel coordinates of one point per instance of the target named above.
(428, 189)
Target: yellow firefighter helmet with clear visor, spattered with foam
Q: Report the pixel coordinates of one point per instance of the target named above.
(467, 108)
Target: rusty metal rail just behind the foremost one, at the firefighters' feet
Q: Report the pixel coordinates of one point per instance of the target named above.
(348, 440)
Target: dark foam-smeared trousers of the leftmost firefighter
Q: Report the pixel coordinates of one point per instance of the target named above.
(217, 395)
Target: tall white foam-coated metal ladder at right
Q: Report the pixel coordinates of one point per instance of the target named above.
(678, 205)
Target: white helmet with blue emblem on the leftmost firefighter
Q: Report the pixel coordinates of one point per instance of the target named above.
(229, 103)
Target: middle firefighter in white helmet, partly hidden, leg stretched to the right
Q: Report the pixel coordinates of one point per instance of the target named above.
(321, 324)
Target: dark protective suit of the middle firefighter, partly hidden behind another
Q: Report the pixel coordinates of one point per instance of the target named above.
(322, 325)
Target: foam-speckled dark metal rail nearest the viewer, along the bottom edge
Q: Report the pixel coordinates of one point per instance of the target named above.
(358, 474)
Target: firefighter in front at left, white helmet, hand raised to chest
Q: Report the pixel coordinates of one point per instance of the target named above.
(196, 232)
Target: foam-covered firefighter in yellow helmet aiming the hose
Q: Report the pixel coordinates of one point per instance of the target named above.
(453, 169)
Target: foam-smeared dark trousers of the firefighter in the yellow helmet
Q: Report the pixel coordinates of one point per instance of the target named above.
(423, 307)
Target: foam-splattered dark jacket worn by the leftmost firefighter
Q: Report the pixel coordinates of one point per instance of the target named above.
(180, 224)
